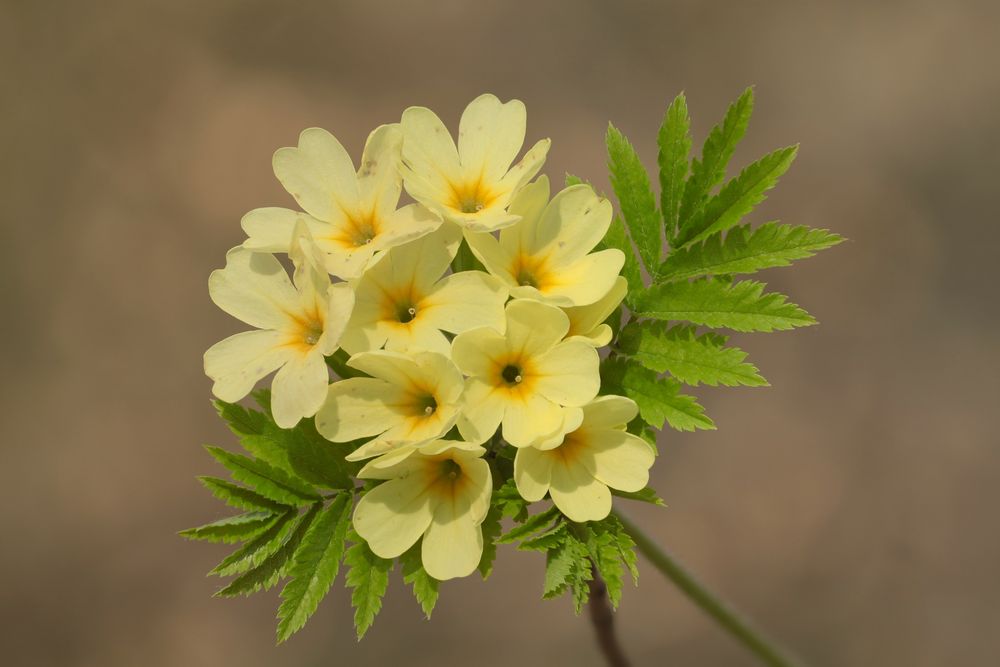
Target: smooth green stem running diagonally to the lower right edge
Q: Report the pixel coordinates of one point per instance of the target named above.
(766, 650)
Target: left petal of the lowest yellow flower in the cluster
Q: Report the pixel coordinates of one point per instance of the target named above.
(392, 516)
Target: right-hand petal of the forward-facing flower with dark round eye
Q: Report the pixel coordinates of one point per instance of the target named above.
(569, 373)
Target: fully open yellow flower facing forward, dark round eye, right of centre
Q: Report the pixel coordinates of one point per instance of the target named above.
(525, 377)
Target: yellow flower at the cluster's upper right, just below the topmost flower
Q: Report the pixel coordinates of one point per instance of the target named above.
(545, 255)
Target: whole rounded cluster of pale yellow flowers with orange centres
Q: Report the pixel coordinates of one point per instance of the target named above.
(451, 367)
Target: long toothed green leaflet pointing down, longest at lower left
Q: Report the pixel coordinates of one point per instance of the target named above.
(315, 566)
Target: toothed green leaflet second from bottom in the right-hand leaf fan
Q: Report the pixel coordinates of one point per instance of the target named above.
(690, 358)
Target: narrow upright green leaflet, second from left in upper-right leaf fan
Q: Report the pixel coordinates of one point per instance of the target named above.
(674, 141)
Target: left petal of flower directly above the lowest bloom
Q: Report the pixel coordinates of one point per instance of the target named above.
(359, 408)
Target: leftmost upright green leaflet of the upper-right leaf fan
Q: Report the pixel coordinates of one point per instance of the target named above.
(635, 198)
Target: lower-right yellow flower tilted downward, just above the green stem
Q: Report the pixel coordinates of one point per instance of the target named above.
(598, 454)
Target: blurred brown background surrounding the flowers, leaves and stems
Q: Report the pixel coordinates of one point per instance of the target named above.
(850, 508)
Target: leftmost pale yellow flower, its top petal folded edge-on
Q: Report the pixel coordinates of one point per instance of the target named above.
(298, 323)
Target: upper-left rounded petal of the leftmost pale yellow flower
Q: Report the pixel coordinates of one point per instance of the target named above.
(254, 288)
